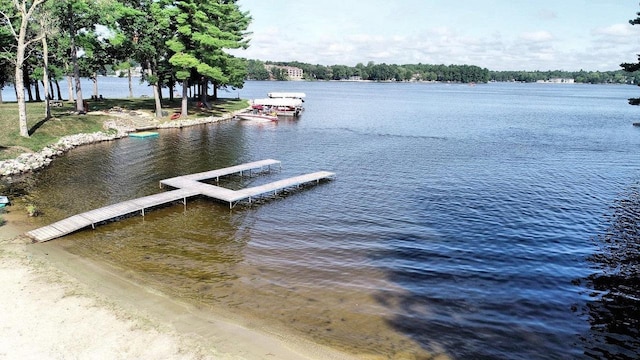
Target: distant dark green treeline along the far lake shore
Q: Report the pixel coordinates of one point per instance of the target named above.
(425, 72)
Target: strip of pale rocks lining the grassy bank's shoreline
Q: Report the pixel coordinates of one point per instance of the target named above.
(114, 129)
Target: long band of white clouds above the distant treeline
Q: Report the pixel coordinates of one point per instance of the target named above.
(599, 49)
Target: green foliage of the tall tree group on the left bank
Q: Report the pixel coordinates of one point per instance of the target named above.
(173, 40)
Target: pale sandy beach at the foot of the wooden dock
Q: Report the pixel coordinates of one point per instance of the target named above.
(58, 306)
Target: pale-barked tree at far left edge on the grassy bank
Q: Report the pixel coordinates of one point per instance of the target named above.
(18, 23)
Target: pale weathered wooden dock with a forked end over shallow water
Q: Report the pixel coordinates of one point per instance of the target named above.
(186, 186)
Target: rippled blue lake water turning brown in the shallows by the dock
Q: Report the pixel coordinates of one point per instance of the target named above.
(496, 221)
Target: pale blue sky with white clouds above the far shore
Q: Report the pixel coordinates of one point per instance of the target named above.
(528, 35)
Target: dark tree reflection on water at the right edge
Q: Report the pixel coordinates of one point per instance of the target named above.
(614, 309)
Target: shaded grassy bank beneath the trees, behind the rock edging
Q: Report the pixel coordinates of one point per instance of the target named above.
(65, 121)
